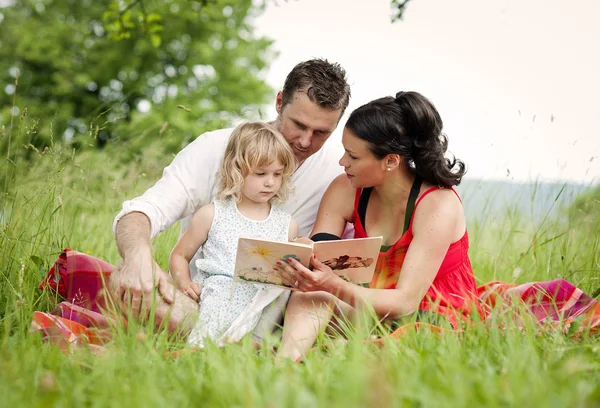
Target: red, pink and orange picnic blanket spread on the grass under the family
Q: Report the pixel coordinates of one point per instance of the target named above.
(80, 321)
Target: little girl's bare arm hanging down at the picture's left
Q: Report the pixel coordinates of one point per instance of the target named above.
(193, 238)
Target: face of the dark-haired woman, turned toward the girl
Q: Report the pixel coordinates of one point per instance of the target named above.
(361, 166)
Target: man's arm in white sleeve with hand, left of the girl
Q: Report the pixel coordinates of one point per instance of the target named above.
(186, 183)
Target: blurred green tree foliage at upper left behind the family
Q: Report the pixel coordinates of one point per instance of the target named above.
(84, 67)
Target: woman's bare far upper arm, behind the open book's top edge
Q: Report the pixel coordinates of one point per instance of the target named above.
(336, 208)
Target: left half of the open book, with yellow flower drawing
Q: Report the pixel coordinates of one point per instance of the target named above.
(256, 257)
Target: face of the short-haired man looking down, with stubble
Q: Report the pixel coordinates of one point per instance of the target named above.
(305, 125)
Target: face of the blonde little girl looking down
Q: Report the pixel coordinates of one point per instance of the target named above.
(261, 184)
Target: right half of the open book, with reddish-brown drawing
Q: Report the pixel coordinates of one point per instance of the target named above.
(352, 259)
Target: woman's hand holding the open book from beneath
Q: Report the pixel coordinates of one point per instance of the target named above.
(303, 279)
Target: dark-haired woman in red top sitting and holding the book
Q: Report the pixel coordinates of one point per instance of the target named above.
(398, 185)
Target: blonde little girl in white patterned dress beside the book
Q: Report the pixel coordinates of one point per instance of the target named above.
(255, 174)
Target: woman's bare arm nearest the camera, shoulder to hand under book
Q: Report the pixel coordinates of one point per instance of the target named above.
(434, 229)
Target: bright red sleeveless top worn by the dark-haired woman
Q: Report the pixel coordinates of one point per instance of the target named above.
(453, 292)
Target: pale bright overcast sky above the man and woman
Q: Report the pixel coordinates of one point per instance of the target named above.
(516, 82)
